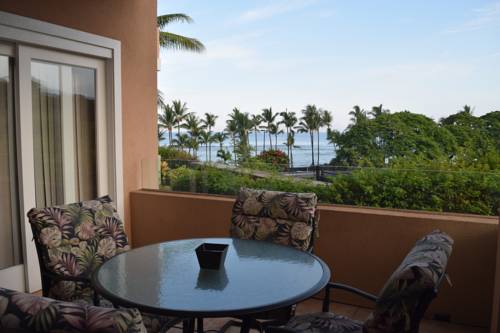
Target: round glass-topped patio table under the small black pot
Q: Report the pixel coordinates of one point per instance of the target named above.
(166, 279)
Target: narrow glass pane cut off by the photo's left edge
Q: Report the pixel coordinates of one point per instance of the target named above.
(10, 242)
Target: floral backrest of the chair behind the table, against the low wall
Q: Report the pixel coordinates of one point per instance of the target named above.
(280, 217)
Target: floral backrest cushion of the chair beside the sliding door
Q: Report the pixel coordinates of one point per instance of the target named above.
(74, 239)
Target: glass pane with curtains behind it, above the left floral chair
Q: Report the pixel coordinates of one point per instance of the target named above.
(64, 133)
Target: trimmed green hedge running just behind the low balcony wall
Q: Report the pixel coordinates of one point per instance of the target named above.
(461, 192)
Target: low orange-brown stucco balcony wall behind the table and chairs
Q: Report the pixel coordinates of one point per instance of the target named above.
(362, 246)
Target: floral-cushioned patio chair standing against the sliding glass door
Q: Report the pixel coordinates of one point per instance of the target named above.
(72, 241)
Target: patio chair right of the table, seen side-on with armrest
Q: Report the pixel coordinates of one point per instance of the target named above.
(401, 303)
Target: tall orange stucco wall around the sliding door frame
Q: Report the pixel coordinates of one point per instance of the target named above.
(133, 22)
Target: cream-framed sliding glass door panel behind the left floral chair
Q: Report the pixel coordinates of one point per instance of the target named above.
(63, 141)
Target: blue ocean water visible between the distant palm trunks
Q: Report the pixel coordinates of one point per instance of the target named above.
(301, 153)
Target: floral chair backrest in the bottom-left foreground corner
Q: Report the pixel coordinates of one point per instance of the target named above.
(30, 313)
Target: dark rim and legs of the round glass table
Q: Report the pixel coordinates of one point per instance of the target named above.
(245, 314)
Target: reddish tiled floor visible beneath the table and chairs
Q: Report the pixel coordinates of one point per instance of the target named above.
(427, 326)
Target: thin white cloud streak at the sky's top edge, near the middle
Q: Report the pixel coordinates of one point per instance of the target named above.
(278, 8)
